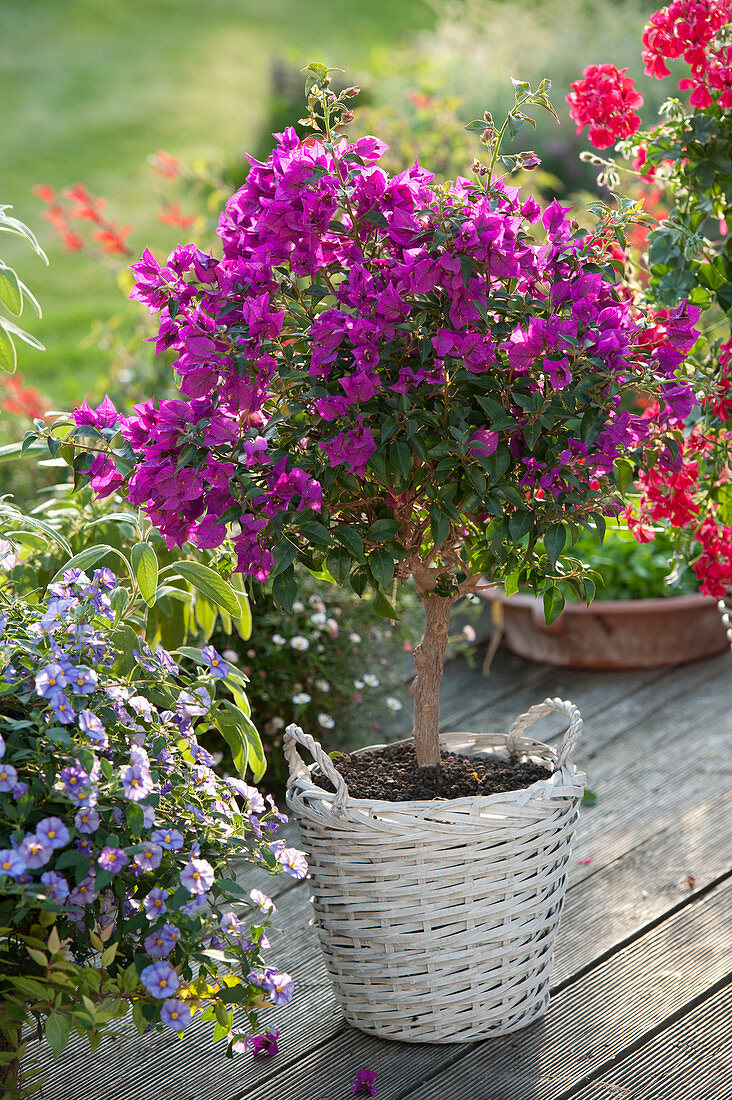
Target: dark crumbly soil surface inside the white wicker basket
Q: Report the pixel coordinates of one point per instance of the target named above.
(391, 775)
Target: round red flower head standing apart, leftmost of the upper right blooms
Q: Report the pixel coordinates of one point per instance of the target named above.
(606, 101)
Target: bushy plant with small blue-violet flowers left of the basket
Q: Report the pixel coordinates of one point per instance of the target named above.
(116, 834)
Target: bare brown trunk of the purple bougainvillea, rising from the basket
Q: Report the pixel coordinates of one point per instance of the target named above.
(430, 661)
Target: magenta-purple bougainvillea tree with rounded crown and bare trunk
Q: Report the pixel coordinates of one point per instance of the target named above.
(385, 379)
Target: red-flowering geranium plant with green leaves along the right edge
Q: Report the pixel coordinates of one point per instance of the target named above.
(685, 162)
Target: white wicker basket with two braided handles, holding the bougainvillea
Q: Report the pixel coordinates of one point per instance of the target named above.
(438, 919)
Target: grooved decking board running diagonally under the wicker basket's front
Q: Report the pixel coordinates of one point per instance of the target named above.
(591, 1024)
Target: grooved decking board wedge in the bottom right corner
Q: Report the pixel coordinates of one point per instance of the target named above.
(692, 1060)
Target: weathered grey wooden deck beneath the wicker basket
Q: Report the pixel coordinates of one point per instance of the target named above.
(642, 985)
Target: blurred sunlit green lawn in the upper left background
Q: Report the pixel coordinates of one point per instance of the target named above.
(90, 89)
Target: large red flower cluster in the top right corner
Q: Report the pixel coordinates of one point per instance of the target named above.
(687, 28)
